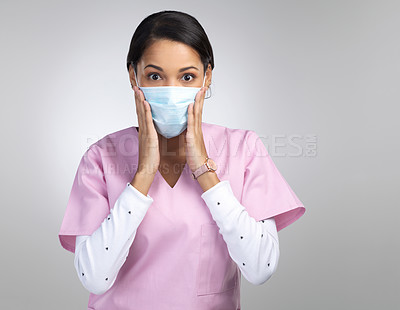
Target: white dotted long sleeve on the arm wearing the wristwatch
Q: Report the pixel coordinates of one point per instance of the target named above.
(252, 245)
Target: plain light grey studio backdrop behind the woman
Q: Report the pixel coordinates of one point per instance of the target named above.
(317, 80)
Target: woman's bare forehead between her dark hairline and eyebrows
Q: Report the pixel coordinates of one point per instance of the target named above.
(167, 53)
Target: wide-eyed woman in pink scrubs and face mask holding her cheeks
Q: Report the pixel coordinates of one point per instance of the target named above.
(169, 214)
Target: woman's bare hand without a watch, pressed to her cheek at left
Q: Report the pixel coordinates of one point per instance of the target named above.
(149, 154)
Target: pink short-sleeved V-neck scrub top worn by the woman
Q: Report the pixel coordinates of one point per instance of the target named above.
(178, 259)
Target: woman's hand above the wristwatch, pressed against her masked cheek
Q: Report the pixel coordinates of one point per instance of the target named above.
(196, 152)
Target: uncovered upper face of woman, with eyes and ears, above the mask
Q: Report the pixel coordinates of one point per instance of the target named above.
(170, 63)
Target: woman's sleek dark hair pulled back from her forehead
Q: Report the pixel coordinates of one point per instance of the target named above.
(170, 25)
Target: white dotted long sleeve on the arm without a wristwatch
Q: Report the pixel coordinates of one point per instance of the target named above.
(99, 257)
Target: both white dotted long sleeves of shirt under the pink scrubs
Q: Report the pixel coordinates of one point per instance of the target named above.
(252, 245)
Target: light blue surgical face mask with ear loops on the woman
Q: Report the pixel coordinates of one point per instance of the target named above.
(169, 105)
